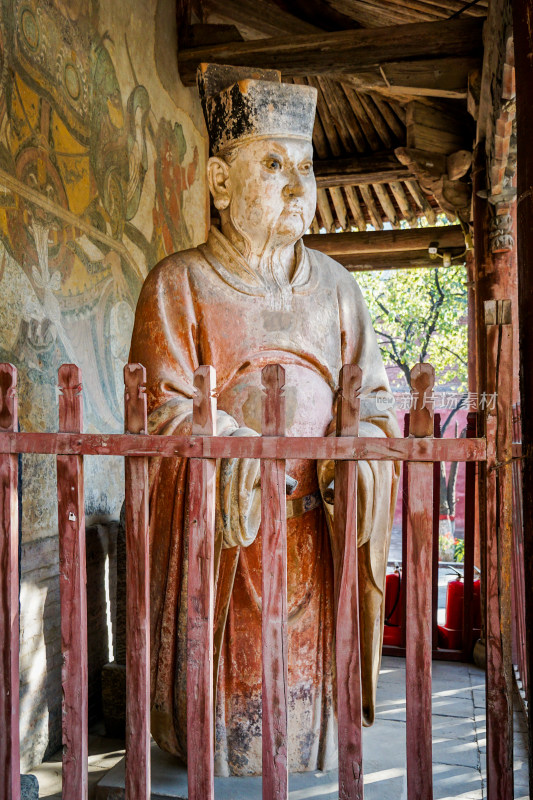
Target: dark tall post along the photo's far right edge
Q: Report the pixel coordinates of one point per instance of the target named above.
(524, 182)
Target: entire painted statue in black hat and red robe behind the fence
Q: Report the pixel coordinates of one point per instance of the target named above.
(253, 295)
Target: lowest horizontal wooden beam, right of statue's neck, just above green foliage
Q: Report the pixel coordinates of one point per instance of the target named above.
(405, 241)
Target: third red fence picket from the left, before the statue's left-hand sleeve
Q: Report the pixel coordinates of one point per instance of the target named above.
(137, 594)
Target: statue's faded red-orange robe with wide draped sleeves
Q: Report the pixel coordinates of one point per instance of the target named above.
(206, 306)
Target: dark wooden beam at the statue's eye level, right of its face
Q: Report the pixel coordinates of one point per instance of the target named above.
(380, 167)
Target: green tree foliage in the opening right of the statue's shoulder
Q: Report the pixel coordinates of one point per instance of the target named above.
(420, 315)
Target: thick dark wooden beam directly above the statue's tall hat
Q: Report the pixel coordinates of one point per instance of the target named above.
(343, 52)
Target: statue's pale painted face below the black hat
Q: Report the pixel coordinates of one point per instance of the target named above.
(270, 191)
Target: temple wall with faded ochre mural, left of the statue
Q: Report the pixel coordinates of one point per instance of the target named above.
(102, 157)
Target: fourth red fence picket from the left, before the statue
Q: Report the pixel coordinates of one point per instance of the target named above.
(201, 576)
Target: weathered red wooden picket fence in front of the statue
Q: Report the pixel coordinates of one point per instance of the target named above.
(420, 449)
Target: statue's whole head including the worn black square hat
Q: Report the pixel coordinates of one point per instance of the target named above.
(261, 169)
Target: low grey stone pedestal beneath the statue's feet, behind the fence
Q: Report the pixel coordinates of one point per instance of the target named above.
(169, 782)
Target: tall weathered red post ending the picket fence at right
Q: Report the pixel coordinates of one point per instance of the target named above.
(497, 578)
